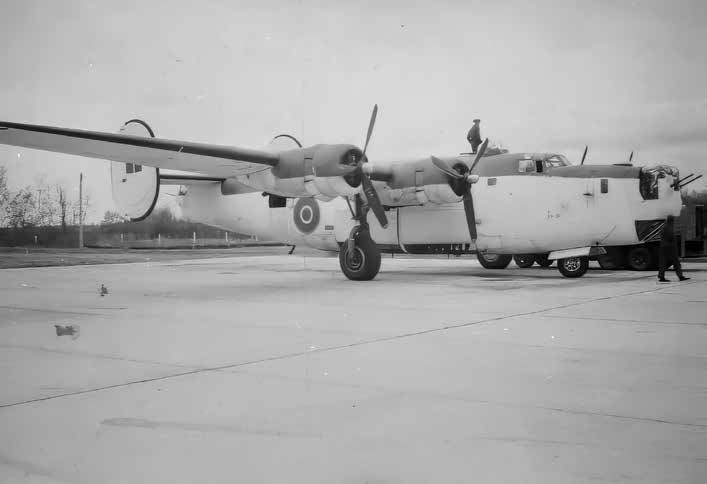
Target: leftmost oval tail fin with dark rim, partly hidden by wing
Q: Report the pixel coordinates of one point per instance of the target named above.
(135, 187)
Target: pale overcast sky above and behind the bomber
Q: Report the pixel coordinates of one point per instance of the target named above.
(542, 76)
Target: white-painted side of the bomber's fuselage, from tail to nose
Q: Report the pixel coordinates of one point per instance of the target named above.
(517, 214)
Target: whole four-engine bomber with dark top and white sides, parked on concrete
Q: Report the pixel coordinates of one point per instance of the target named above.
(322, 195)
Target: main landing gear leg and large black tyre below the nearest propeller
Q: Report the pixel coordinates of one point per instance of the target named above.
(359, 256)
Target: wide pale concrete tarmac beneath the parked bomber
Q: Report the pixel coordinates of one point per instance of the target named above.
(278, 369)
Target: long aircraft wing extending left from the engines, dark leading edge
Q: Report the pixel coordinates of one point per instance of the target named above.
(207, 159)
